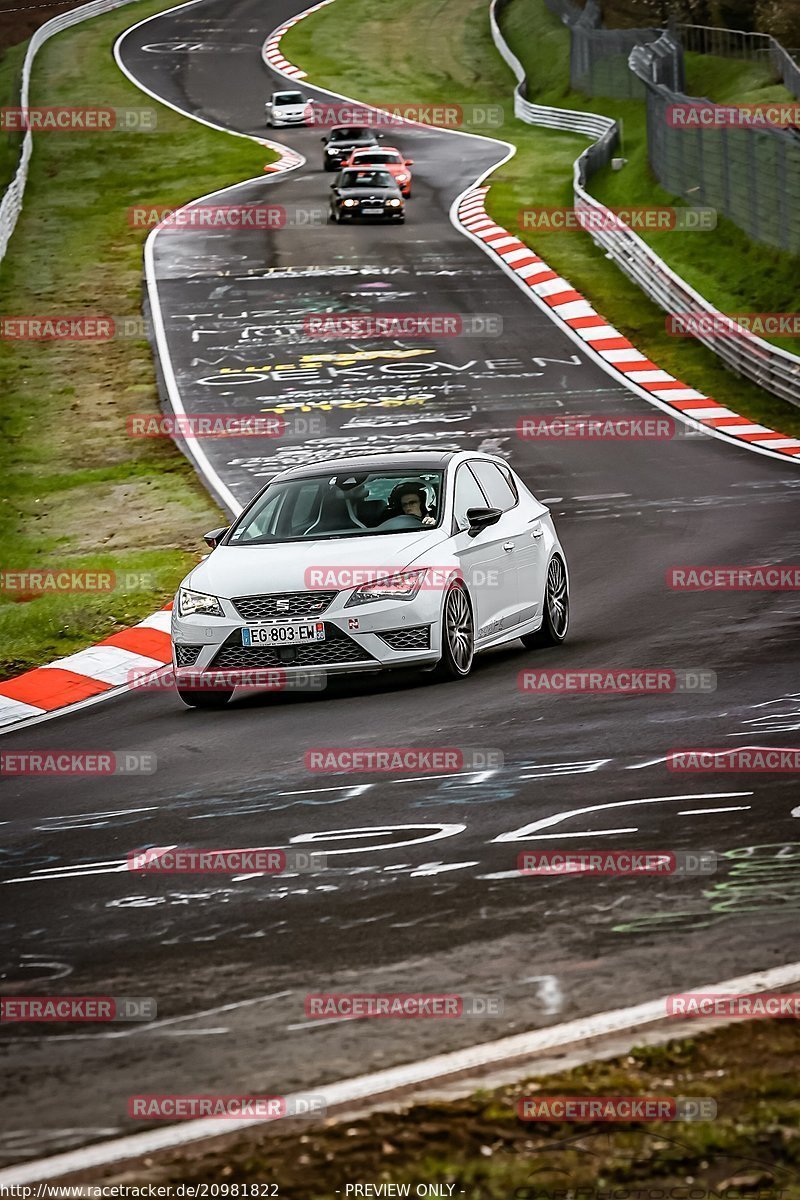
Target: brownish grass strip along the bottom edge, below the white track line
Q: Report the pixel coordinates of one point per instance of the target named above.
(479, 1147)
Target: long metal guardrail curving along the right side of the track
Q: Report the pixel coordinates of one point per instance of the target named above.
(750, 357)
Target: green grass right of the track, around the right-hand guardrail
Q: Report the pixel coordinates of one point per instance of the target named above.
(441, 51)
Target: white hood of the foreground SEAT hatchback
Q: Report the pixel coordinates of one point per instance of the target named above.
(251, 571)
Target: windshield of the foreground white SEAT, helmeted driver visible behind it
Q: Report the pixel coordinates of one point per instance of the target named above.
(342, 505)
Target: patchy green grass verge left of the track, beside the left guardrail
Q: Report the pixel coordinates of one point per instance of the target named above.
(79, 494)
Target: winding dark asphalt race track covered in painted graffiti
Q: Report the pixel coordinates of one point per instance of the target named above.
(420, 893)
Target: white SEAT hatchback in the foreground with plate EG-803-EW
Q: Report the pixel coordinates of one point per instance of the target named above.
(372, 563)
